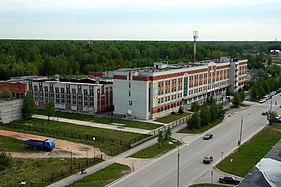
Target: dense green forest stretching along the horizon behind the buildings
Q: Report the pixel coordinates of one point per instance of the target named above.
(49, 57)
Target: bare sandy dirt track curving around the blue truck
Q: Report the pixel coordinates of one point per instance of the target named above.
(63, 148)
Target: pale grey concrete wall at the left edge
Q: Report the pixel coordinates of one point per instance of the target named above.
(11, 110)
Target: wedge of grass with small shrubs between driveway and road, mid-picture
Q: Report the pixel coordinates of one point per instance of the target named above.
(155, 150)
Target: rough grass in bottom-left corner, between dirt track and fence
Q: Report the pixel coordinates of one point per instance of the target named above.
(35, 169)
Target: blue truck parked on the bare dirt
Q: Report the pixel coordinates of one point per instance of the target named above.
(46, 145)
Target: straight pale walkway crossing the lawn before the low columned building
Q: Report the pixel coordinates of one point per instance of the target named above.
(91, 124)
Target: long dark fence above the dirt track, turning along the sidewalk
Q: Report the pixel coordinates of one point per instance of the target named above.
(120, 145)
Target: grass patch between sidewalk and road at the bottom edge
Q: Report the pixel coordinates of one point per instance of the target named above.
(103, 177)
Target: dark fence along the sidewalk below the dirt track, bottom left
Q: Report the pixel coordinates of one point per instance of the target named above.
(66, 171)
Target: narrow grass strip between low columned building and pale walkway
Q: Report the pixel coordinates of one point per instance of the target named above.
(104, 120)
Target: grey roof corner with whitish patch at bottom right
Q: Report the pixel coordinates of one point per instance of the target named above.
(267, 172)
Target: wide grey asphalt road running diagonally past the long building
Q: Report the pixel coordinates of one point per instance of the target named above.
(163, 171)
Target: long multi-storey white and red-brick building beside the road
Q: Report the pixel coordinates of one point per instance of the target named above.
(151, 92)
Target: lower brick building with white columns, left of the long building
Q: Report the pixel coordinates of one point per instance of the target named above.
(83, 96)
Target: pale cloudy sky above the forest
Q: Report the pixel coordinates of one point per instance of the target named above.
(215, 20)
